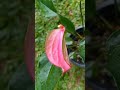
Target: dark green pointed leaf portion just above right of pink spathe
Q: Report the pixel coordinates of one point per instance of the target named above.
(68, 25)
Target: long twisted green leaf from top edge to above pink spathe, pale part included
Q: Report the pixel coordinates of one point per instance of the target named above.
(49, 9)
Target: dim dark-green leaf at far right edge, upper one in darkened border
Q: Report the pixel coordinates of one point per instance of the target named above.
(113, 40)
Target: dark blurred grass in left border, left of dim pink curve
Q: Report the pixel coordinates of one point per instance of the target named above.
(14, 16)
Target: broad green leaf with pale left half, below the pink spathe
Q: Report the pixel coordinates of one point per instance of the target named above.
(48, 75)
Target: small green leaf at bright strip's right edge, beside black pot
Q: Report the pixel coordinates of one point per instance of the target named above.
(82, 49)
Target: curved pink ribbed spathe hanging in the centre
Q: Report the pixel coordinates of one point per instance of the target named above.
(54, 49)
